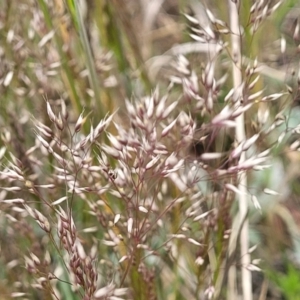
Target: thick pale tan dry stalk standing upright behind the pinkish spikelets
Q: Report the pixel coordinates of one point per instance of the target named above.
(240, 137)
